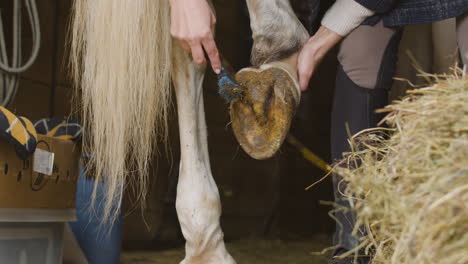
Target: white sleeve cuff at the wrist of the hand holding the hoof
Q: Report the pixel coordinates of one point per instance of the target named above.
(344, 16)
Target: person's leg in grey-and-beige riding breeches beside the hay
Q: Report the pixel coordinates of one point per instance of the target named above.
(367, 60)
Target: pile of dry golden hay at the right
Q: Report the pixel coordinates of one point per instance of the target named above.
(410, 181)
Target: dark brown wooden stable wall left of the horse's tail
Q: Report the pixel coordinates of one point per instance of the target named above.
(44, 89)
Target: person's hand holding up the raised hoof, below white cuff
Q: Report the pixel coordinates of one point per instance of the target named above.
(313, 52)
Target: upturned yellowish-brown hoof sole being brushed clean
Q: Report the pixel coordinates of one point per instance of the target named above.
(262, 116)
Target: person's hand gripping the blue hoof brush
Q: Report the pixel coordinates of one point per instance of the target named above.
(192, 23)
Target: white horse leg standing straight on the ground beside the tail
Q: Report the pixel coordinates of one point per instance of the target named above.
(198, 203)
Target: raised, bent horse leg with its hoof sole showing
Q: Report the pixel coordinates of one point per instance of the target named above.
(262, 116)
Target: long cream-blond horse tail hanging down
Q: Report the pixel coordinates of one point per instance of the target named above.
(120, 63)
